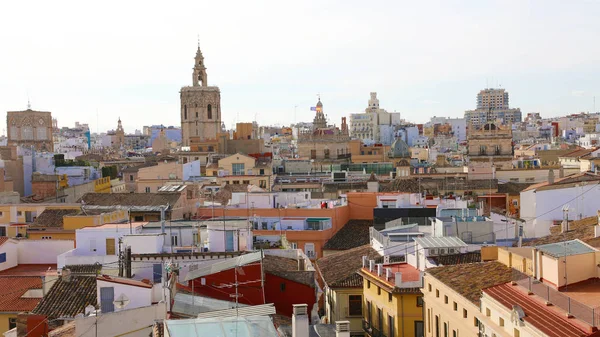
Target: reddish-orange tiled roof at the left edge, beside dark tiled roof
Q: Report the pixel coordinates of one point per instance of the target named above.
(13, 287)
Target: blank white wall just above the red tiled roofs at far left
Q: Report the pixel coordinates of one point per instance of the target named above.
(42, 251)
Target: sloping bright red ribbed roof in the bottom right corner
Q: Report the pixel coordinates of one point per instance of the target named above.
(543, 318)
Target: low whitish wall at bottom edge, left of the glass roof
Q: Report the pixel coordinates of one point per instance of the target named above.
(130, 322)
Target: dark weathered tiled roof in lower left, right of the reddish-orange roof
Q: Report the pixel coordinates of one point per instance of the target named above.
(68, 298)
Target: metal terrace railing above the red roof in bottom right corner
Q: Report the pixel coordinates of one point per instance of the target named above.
(583, 312)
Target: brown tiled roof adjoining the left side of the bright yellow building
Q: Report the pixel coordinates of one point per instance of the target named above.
(336, 269)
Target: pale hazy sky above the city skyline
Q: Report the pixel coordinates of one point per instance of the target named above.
(424, 58)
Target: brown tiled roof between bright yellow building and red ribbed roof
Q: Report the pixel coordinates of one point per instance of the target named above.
(469, 279)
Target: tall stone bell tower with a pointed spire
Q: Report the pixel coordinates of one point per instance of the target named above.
(200, 108)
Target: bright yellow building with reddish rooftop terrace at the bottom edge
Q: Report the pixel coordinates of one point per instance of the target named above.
(393, 300)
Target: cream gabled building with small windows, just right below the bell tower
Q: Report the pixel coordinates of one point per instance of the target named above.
(239, 169)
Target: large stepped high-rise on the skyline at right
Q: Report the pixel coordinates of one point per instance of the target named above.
(493, 104)
